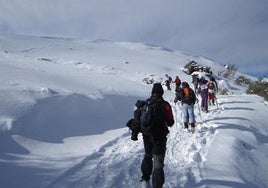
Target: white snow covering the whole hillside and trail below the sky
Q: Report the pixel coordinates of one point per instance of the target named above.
(64, 104)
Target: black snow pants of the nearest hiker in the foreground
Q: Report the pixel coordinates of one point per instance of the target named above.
(153, 161)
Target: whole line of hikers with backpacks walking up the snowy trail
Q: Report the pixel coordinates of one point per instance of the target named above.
(153, 116)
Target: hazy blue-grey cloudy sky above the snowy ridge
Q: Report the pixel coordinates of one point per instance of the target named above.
(227, 31)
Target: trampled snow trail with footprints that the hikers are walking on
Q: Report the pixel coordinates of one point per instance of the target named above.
(117, 164)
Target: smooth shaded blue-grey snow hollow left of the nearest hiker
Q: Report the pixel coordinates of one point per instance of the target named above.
(50, 116)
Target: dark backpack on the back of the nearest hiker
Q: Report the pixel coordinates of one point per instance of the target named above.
(152, 115)
